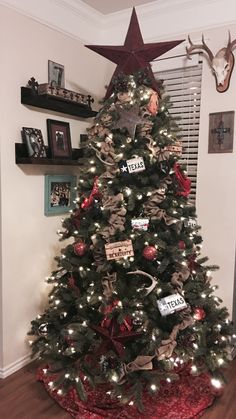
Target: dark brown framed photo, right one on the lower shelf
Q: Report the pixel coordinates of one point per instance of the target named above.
(59, 139)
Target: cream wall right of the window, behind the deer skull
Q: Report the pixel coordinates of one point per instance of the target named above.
(216, 196)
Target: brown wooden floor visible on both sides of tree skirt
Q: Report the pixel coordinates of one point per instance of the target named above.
(21, 397)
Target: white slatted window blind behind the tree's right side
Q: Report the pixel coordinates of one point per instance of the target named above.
(183, 86)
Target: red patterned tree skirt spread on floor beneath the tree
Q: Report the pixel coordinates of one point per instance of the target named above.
(186, 398)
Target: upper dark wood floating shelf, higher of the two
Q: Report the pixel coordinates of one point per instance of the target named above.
(55, 104)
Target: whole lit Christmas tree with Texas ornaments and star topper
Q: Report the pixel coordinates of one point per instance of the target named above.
(131, 303)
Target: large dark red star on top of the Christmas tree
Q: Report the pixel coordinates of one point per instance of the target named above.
(134, 55)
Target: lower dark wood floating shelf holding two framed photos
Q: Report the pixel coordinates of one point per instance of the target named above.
(23, 158)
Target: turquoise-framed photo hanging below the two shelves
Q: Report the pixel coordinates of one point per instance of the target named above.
(60, 194)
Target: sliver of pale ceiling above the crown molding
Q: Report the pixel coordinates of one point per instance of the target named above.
(110, 6)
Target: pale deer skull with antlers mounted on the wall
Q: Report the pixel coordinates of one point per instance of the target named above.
(221, 64)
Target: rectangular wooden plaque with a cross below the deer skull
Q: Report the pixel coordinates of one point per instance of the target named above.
(221, 132)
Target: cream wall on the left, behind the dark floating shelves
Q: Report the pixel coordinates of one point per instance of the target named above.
(29, 239)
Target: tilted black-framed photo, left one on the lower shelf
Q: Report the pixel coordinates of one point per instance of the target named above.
(33, 139)
